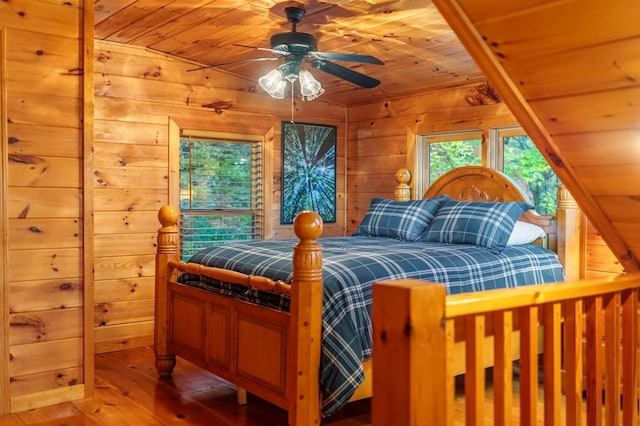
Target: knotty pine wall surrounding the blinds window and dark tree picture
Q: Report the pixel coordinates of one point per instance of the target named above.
(136, 94)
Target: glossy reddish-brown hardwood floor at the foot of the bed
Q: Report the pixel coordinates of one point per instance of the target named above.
(129, 392)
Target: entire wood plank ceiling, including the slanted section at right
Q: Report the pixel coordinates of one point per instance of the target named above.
(568, 69)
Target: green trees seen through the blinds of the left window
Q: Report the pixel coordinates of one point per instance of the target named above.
(220, 194)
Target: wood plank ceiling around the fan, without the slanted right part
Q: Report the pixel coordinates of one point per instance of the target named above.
(420, 51)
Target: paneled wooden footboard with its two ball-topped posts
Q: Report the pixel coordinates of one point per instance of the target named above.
(272, 354)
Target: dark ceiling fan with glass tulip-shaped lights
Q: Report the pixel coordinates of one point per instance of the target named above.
(297, 47)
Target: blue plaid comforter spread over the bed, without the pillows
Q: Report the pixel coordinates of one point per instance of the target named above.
(351, 266)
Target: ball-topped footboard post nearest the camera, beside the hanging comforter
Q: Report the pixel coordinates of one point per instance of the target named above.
(305, 328)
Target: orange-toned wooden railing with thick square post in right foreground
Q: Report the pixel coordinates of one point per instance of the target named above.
(588, 331)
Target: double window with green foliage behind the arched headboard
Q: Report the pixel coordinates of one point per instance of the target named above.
(509, 150)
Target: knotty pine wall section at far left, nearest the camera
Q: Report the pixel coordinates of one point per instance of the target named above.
(42, 341)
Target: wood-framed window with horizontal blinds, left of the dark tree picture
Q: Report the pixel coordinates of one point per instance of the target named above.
(220, 187)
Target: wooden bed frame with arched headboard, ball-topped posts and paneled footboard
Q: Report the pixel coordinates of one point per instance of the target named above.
(223, 335)
